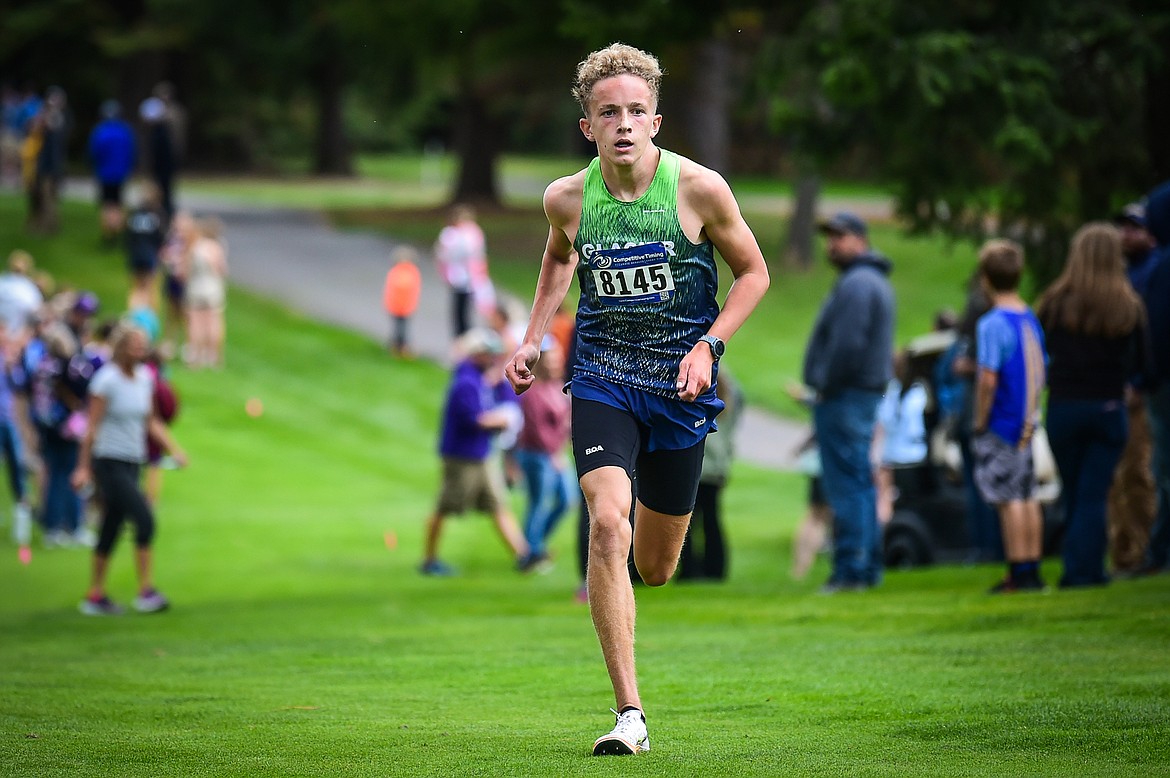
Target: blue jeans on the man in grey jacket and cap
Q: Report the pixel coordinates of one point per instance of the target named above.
(845, 432)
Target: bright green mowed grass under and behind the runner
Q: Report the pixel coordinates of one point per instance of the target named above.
(304, 643)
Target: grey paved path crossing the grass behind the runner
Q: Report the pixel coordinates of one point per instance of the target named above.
(338, 277)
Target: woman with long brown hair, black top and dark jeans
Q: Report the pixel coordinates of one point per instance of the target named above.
(1095, 326)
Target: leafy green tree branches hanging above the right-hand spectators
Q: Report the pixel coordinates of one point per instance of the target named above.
(1022, 119)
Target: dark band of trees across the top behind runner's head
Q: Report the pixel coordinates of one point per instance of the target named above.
(1027, 119)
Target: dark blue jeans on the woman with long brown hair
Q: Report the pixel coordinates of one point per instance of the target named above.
(1088, 438)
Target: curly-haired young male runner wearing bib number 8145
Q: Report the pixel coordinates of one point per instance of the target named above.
(639, 226)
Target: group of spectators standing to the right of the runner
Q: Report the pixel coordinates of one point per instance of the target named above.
(1083, 383)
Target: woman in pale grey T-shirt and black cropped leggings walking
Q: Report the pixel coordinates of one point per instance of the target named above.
(121, 416)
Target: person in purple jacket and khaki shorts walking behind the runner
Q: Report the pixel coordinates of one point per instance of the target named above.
(471, 422)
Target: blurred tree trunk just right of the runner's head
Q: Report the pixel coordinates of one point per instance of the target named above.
(710, 122)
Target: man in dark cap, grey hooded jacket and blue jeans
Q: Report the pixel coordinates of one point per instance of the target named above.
(849, 363)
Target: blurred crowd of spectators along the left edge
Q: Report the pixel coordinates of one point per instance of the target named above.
(85, 395)
